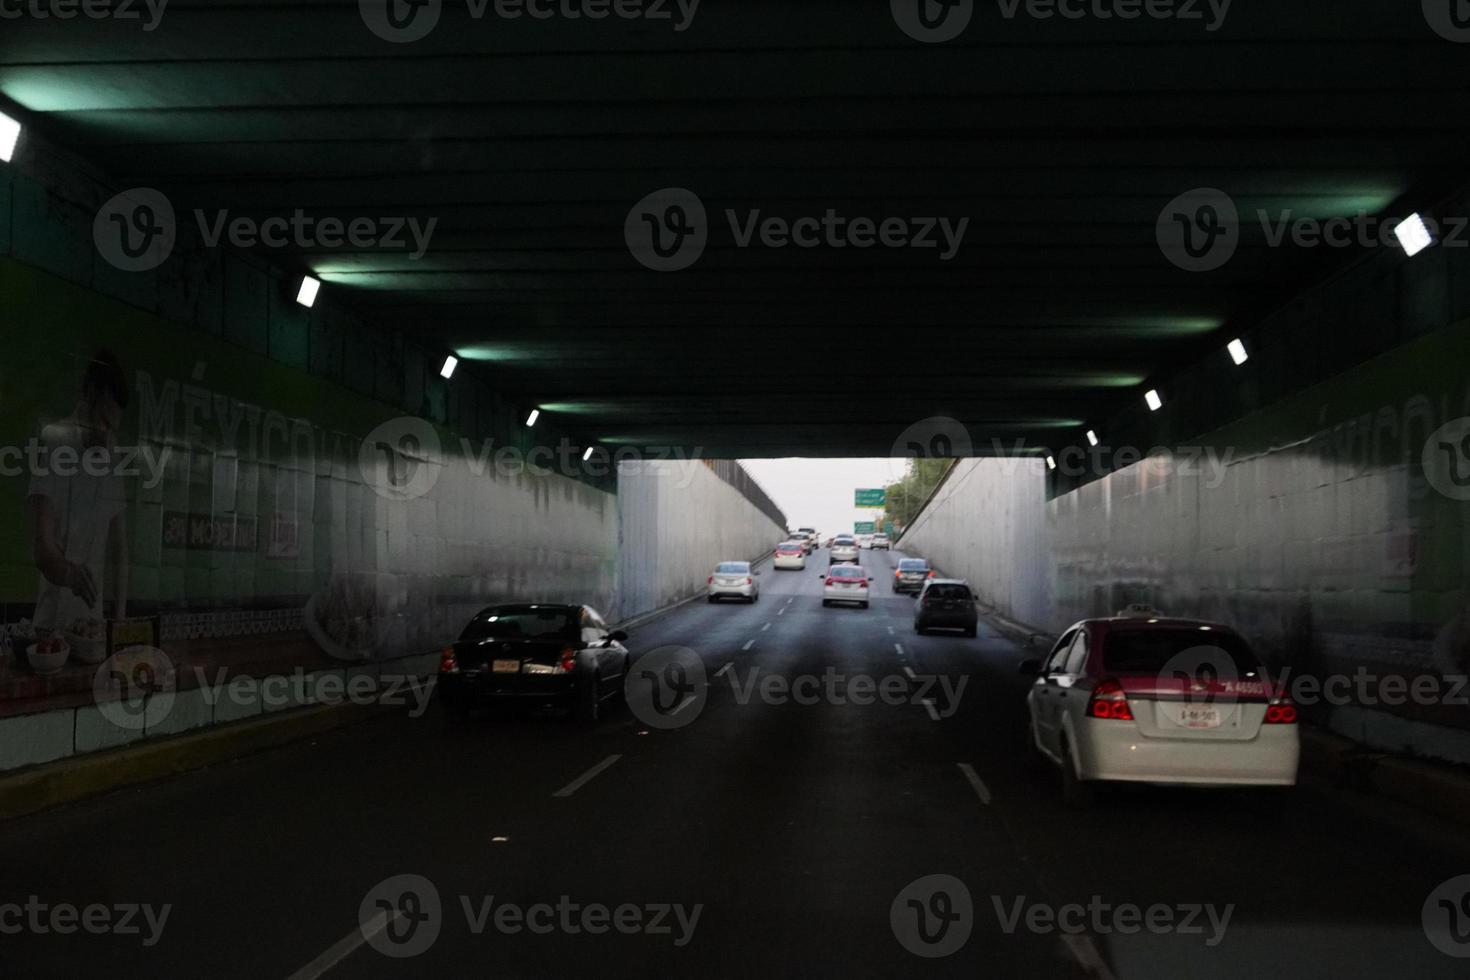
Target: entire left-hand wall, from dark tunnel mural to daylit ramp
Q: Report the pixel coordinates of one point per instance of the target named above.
(293, 528)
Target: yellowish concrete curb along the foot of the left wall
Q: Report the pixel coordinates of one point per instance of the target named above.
(68, 781)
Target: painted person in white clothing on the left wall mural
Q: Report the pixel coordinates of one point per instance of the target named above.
(77, 503)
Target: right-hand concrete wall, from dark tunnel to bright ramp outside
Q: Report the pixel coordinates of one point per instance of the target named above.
(1331, 530)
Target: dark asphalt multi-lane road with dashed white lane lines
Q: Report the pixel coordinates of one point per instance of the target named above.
(774, 831)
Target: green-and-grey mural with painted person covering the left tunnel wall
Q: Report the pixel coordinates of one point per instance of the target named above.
(252, 515)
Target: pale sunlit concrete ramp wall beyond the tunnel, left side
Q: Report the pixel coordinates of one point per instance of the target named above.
(677, 521)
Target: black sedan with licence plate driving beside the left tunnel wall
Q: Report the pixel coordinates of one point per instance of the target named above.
(536, 656)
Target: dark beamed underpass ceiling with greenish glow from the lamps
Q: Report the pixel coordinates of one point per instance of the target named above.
(531, 140)
